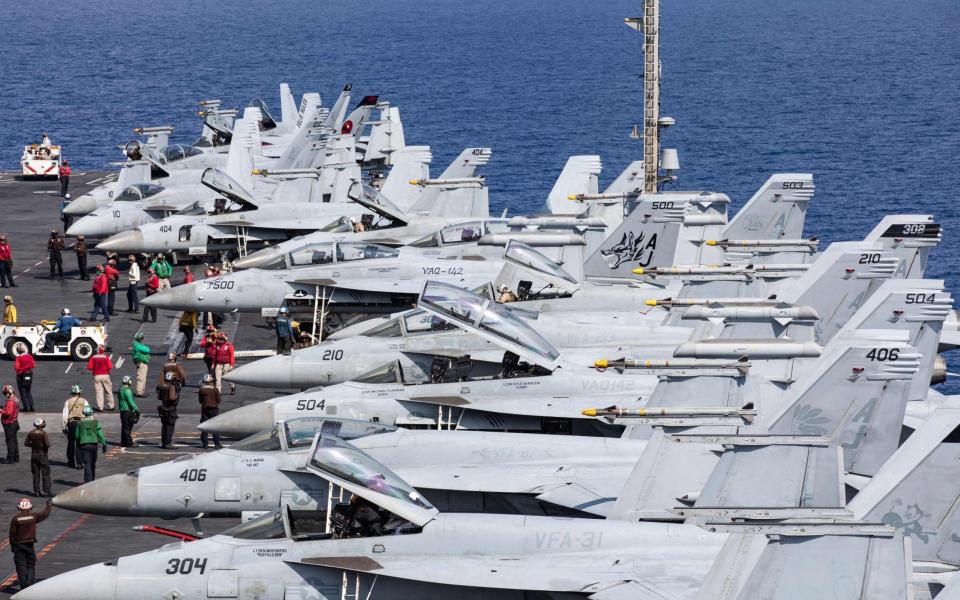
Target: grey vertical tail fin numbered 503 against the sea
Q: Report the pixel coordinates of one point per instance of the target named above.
(777, 211)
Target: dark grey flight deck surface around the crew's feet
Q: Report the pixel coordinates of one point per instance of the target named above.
(69, 540)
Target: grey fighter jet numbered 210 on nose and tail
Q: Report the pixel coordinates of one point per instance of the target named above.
(348, 357)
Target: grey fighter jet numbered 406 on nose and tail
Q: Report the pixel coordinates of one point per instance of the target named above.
(521, 471)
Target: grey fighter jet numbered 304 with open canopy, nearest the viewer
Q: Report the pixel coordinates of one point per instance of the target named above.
(390, 541)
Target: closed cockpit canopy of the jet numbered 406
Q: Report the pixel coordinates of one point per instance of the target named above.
(299, 433)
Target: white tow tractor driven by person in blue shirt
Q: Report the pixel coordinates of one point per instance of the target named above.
(23, 338)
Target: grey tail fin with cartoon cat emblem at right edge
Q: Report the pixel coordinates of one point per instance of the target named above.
(918, 490)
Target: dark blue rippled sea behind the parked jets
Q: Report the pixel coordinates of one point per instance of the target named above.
(862, 93)
